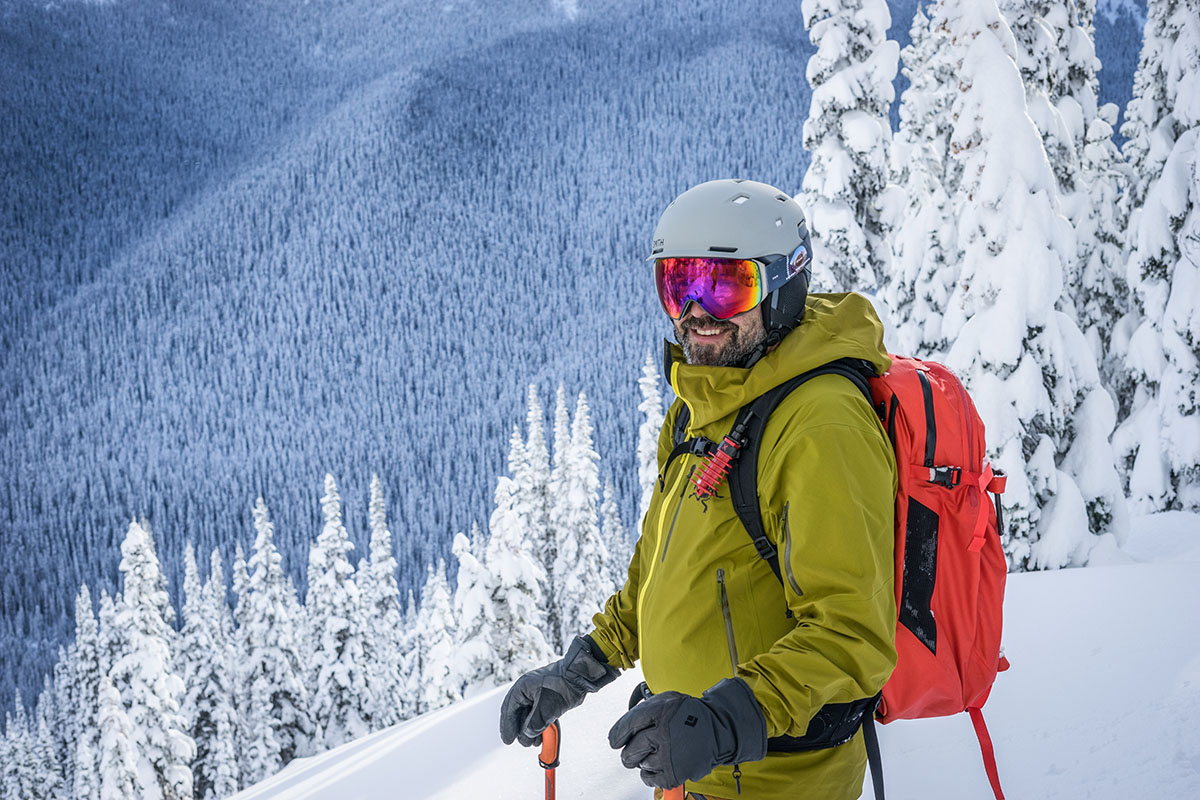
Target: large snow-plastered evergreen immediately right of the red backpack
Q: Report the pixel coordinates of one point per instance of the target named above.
(1028, 365)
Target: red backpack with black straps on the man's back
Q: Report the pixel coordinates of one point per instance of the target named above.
(950, 566)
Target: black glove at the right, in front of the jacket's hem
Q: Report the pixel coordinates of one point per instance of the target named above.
(674, 738)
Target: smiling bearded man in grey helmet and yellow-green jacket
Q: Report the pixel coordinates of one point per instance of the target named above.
(753, 679)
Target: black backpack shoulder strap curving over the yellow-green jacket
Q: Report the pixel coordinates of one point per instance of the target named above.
(745, 476)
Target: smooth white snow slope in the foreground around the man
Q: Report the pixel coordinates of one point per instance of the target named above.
(1102, 702)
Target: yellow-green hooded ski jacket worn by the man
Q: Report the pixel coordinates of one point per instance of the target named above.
(701, 605)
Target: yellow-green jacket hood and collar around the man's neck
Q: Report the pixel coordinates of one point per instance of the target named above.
(835, 327)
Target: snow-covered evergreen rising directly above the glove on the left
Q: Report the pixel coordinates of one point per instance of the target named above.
(517, 592)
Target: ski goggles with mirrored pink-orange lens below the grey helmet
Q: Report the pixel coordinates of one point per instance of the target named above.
(724, 287)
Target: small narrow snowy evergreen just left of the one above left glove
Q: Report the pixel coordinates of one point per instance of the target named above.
(476, 661)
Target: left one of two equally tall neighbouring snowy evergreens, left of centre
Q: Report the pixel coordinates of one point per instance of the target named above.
(341, 700)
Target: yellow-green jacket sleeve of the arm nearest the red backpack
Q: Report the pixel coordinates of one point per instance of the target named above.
(829, 486)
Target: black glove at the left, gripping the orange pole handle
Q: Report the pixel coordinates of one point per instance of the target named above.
(544, 695)
